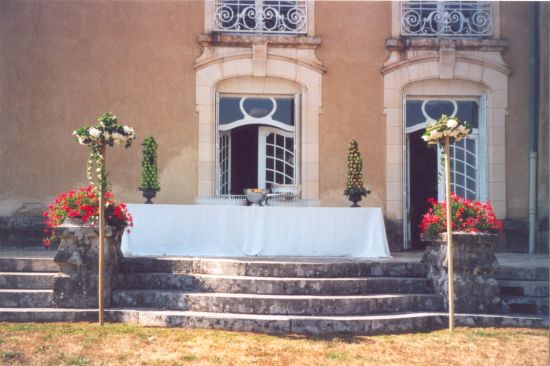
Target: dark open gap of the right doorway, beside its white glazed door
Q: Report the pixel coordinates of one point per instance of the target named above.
(422, 183)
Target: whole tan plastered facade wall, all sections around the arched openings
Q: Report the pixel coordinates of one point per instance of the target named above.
(64, 63)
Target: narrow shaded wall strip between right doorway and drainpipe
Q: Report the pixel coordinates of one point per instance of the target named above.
(515, 29)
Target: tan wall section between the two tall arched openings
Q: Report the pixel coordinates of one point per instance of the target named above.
(353, 52)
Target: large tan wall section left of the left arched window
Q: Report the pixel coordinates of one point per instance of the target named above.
(64, 63)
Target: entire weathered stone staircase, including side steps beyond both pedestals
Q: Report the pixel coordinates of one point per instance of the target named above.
(313, 296)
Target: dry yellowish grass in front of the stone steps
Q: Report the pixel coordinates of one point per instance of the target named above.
(121, 344)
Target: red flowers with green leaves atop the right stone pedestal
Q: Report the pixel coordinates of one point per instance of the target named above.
(468, 216)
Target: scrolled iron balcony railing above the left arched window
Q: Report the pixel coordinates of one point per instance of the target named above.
(260, 16)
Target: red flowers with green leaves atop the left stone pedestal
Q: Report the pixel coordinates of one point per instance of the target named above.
(83, 204)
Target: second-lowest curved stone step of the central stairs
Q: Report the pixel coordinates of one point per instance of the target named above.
(278, 304)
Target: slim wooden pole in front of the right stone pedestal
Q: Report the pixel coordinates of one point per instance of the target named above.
(449, 236)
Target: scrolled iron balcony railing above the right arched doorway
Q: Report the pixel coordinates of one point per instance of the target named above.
(453, 19)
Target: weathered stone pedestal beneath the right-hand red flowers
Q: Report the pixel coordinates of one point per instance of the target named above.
(475, 264)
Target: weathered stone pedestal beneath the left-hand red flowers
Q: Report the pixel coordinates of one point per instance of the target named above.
(76, 286)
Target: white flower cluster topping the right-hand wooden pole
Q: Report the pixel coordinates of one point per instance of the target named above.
(446, 126)
